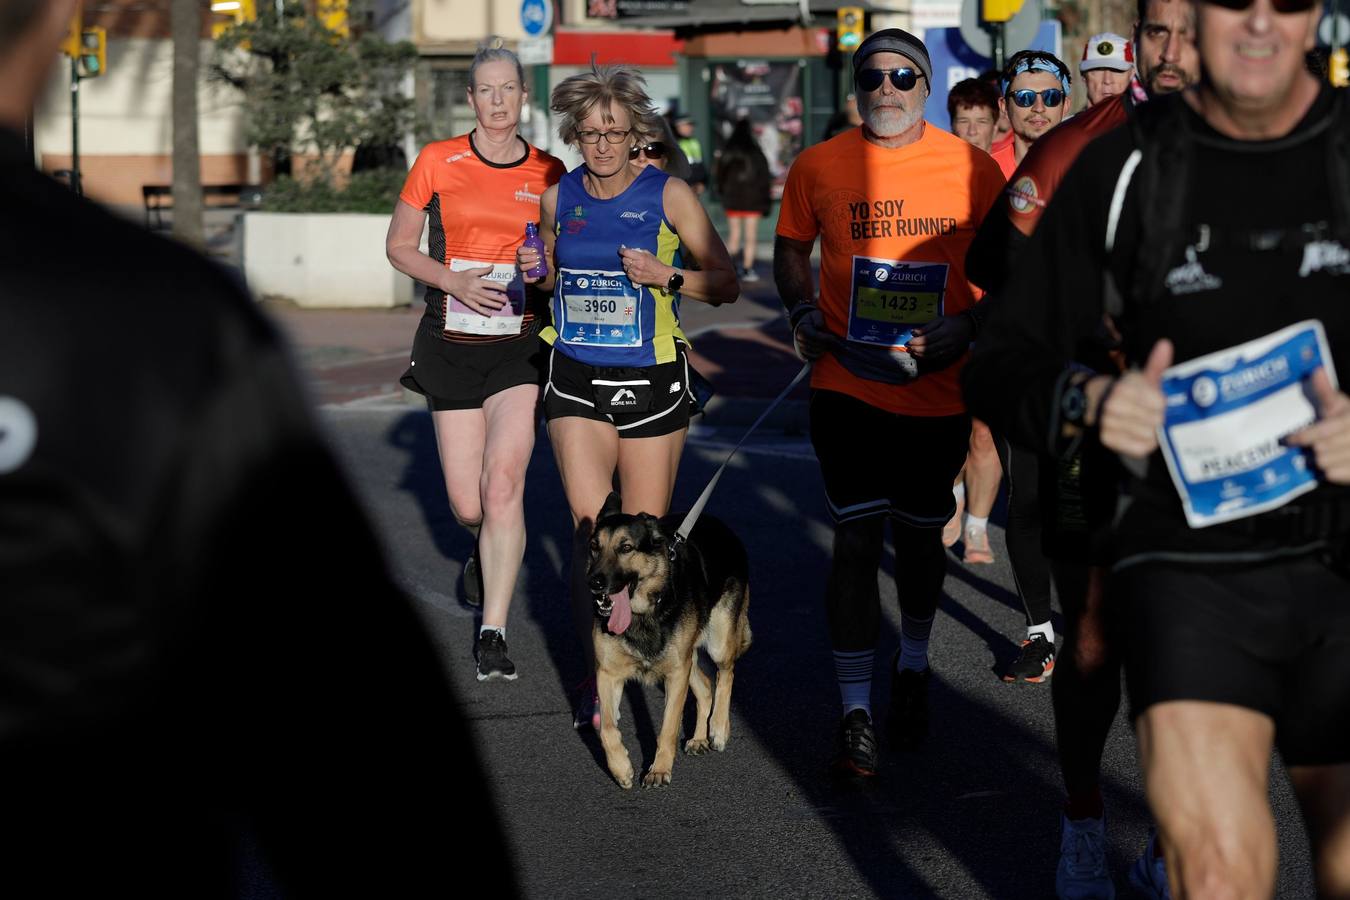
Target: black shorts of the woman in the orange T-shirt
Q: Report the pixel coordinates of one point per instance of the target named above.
(456, 376)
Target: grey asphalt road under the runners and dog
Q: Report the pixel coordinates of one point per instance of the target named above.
(973, 814)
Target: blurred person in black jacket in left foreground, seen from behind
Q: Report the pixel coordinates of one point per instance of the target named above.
(209, 683)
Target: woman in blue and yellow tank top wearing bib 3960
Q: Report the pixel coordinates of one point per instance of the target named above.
(618, 399)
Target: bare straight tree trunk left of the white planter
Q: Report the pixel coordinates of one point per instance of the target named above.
(187, 154)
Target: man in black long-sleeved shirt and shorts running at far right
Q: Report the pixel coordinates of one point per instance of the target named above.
(1229, 586)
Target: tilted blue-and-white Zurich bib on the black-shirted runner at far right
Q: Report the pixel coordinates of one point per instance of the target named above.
(1228, 415)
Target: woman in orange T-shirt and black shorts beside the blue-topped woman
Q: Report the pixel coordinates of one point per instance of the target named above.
(477, 356)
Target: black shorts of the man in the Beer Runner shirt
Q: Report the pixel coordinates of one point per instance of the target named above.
(878, 463)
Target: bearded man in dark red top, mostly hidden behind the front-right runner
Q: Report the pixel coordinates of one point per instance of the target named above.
(1050, 530)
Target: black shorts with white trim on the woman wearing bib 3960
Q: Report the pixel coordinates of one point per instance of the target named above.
(661, 395)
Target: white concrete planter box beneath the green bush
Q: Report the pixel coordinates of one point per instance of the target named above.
(323, 260)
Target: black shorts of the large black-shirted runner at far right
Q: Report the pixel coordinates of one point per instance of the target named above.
(1272, 638)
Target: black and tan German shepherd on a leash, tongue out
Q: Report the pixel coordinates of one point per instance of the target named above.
(657, 602)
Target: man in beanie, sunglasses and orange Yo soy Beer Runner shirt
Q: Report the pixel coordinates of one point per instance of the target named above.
(893, 204)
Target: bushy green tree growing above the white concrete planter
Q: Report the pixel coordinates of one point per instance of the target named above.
(313, 91)
